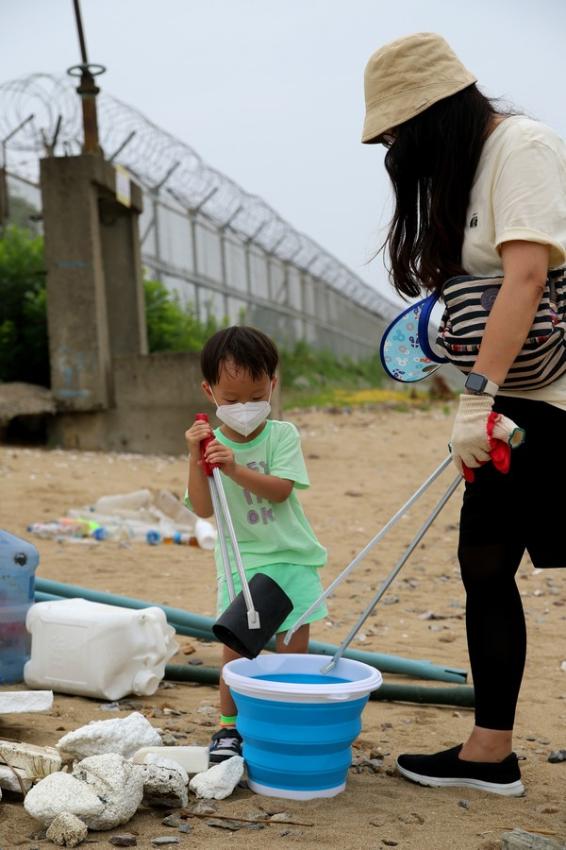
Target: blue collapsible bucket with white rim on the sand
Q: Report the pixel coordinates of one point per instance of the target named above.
(297, 723)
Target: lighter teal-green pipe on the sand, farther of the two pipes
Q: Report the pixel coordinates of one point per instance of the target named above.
(196, 625)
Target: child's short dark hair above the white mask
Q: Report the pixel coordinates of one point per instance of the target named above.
(247, 347)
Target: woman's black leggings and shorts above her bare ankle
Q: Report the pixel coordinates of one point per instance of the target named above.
(502, 515)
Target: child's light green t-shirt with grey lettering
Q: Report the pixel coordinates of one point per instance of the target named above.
(270, 532)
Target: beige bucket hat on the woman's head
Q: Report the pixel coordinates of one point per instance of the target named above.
(405, 77)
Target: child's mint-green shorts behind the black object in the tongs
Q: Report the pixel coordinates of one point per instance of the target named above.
(301, 584)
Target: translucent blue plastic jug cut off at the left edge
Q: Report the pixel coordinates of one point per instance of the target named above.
(18, 562)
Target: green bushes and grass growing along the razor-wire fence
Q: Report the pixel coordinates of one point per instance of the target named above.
(310, 377)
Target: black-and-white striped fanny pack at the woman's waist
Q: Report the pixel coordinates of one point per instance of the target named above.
(468, 301)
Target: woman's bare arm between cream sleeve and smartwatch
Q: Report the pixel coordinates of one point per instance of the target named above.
(525, 269)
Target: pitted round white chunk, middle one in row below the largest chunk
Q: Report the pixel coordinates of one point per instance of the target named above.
(117, 782)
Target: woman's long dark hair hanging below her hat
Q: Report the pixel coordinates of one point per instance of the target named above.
(431, 163)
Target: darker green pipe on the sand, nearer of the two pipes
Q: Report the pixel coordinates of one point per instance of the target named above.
(461, 696)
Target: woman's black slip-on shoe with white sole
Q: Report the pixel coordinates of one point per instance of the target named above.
(446, 770)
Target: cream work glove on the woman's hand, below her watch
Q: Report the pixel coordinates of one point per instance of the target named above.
(469, 443)
